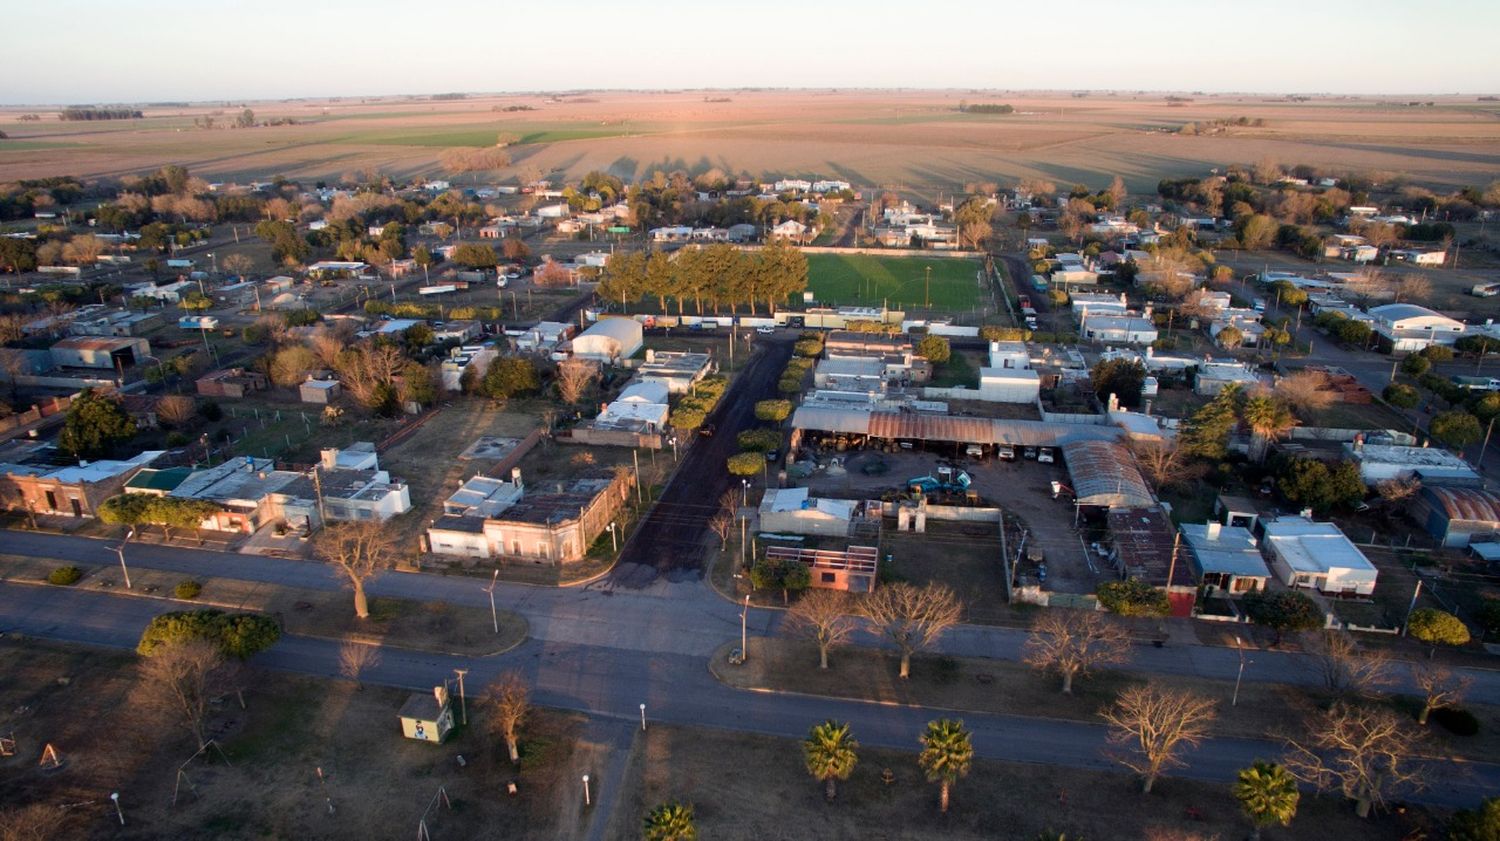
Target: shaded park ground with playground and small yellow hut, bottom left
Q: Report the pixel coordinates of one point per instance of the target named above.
(91, 705)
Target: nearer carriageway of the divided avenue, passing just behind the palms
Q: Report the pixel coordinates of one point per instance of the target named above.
(611, 684)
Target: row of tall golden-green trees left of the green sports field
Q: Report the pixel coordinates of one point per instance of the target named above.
(719, 277)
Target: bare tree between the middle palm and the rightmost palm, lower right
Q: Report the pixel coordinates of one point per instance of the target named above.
(1153, 725)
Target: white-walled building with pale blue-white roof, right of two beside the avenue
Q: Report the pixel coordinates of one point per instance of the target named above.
(1318, 555)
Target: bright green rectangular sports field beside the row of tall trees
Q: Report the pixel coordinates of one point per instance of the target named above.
(893, 281)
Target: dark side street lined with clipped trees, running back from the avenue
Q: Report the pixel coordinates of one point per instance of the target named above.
(670, 543)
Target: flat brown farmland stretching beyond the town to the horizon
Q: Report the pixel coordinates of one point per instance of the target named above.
(913, 142)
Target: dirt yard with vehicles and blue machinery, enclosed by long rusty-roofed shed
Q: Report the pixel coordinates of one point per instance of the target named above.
(1022, 488)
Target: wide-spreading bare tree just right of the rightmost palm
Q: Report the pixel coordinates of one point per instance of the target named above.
(1363, 752)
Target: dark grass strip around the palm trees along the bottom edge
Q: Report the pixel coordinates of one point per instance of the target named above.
(751, 788)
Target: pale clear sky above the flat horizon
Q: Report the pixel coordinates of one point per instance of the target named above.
(95, 52)
